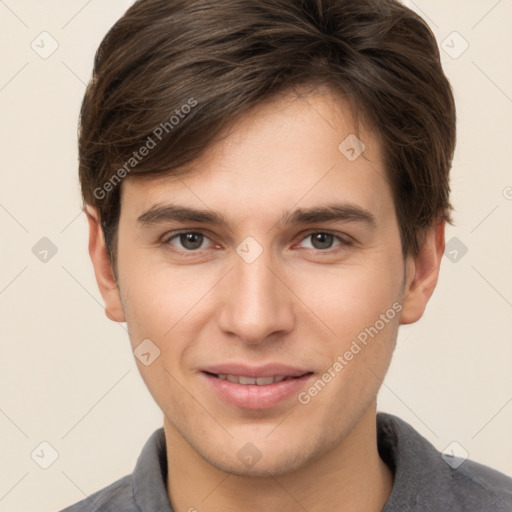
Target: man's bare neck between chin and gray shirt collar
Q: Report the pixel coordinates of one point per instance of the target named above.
(351, 474)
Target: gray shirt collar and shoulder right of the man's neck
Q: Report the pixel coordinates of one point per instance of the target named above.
(425, 479)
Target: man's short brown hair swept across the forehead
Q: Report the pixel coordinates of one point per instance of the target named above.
(205, 62)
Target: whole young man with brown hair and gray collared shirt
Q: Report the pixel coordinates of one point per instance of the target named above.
(267, 186)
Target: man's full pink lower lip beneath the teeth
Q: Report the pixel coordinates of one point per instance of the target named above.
(252, 396)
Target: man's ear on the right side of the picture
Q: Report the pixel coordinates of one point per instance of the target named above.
(422, 272)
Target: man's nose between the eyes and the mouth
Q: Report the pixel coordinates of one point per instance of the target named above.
(257, 304)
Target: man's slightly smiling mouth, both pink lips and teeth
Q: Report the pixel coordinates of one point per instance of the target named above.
(256, 388)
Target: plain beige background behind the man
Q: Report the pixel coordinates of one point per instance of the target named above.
(67, 374)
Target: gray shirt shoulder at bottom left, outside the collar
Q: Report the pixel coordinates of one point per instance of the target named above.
(113, 498)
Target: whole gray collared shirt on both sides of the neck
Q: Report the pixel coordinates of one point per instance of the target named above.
(424, 481)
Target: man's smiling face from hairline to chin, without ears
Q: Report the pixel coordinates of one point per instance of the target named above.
(263, 296)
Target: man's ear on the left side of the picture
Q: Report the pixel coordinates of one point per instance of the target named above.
(105, 278)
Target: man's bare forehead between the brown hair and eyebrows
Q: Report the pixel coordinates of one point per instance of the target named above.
(301, 150)
